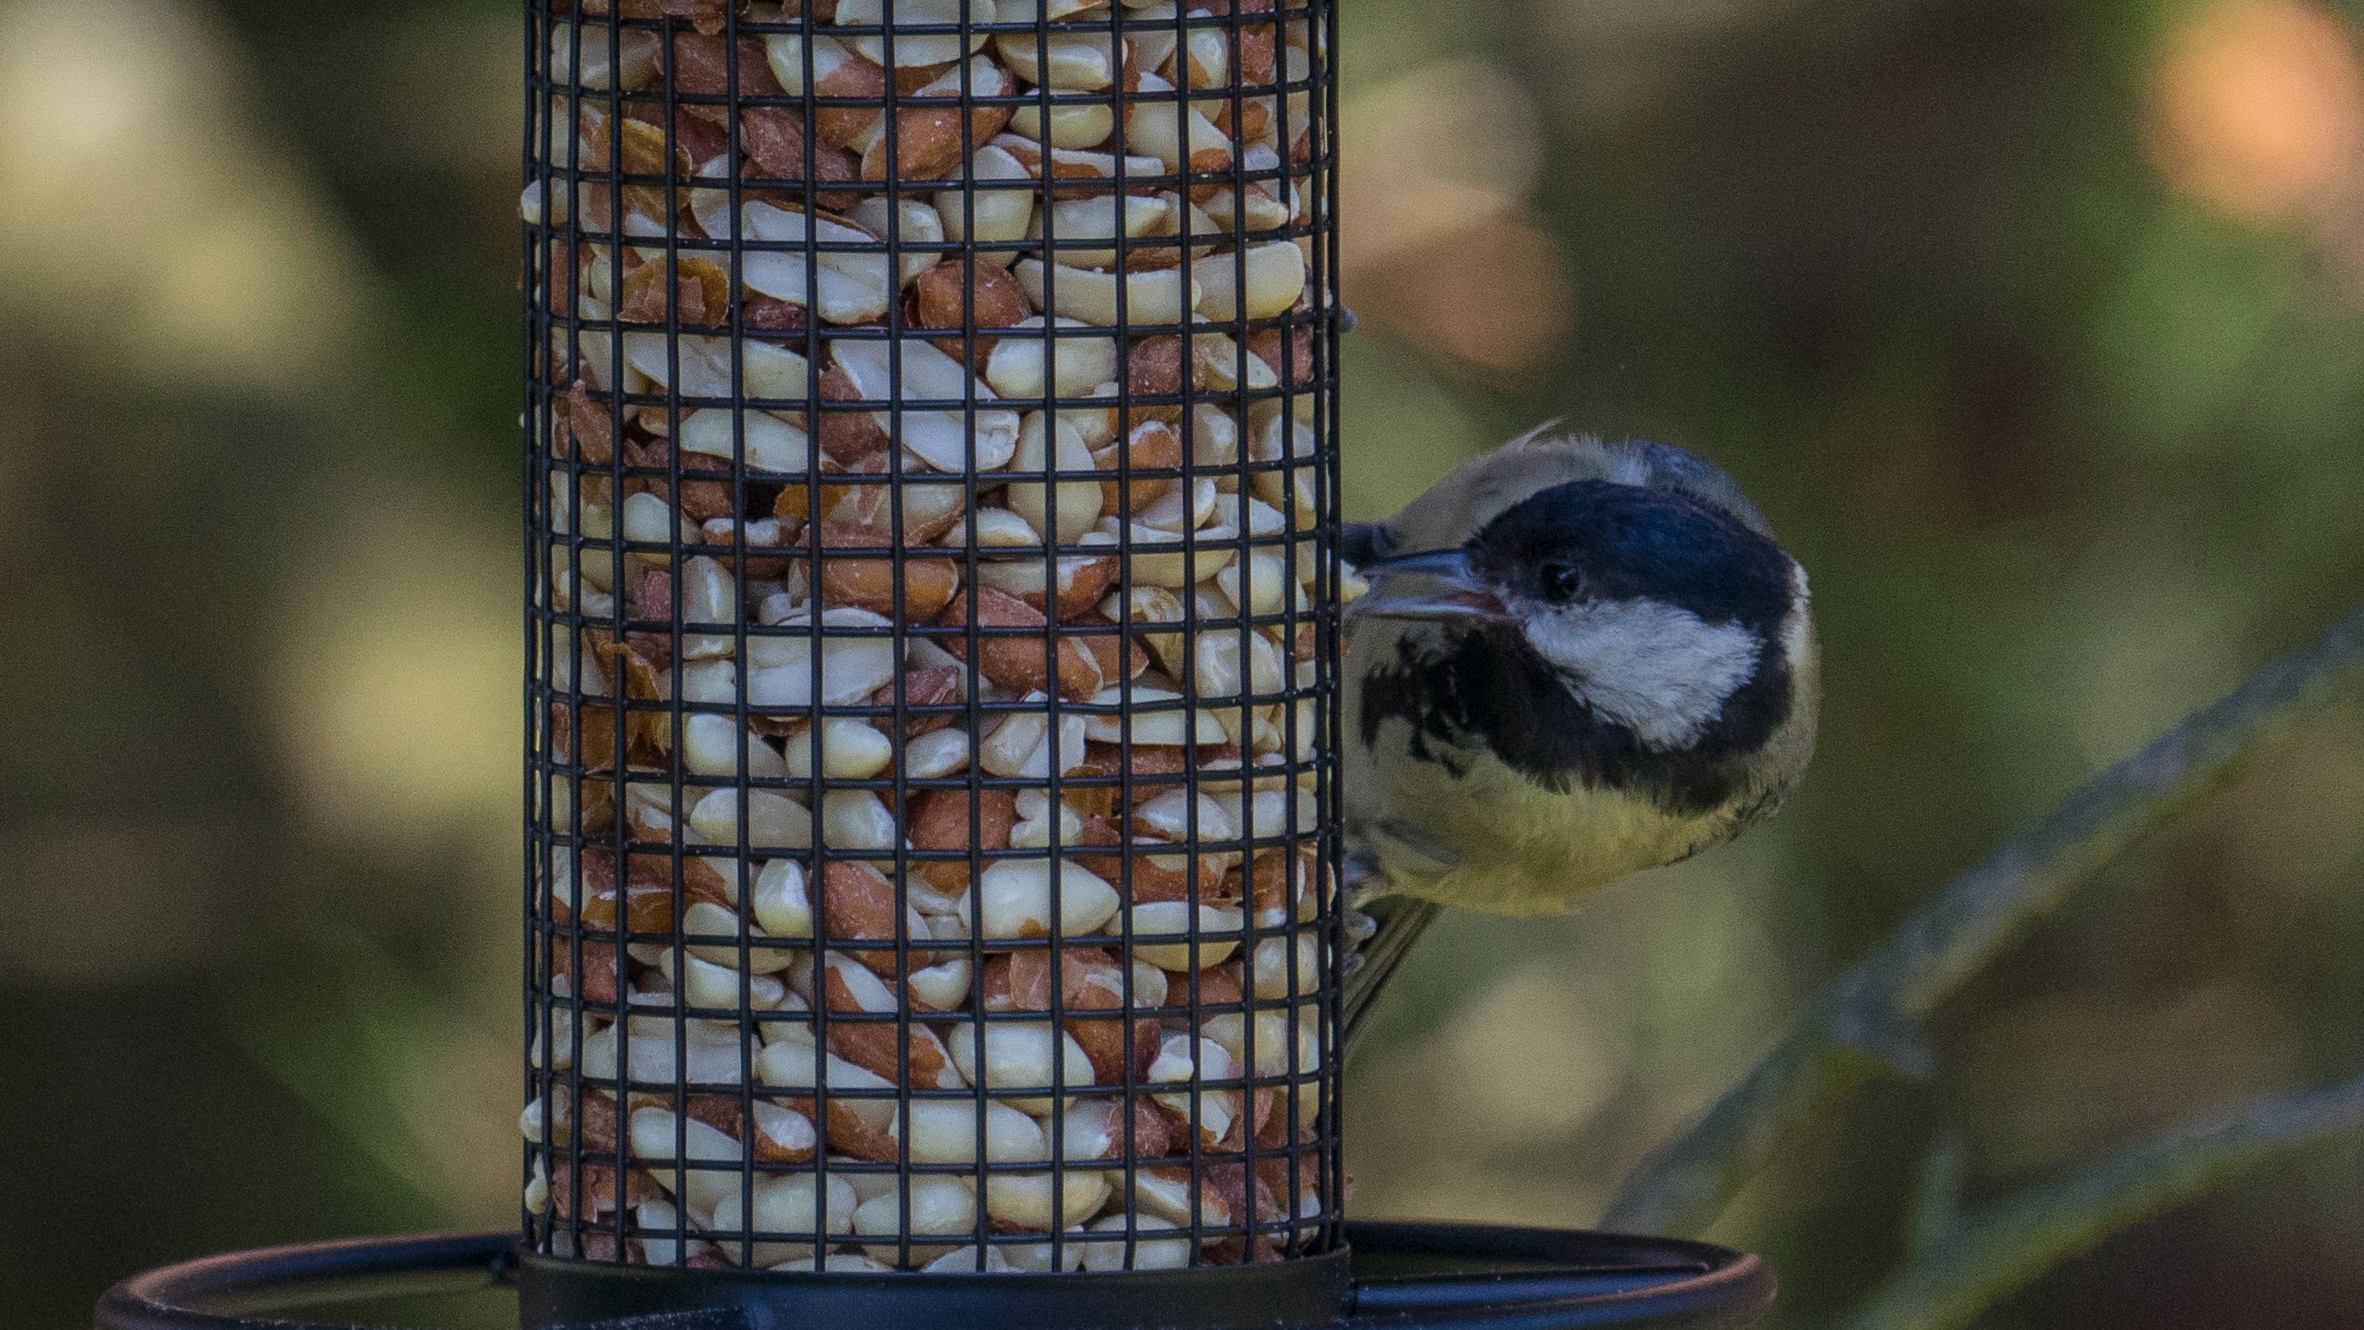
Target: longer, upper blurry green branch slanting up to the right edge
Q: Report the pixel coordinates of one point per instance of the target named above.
(1869, 1019)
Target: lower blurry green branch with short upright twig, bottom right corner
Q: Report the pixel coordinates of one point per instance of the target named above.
(1961, 1267)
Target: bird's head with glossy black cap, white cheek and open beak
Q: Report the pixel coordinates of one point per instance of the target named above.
(1654, 606)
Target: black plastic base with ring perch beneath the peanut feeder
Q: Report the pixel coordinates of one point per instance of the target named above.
(1405, 1277)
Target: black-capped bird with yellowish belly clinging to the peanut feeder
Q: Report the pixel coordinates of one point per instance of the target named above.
(1573, 663)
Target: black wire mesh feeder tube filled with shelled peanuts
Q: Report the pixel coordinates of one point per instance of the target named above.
(933, 627)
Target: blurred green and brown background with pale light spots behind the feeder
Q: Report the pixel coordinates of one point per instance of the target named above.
(2037, 327)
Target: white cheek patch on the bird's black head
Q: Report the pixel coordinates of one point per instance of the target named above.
(1656, 670)
